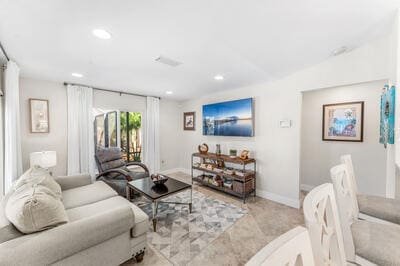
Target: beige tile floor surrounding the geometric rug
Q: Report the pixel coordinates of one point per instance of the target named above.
(264, 221)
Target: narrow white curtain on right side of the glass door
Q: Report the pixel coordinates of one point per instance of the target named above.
(152, 137)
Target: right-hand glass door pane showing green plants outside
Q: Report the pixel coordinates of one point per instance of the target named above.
(131, 136)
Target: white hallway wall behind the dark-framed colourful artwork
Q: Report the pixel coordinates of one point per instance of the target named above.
(369, 156)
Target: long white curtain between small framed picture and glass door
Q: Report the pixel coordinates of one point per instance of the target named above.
(80, 130)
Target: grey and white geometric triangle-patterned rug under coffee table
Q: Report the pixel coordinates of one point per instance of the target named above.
(181, 235)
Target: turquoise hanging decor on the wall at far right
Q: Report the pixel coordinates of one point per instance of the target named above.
(387, 115)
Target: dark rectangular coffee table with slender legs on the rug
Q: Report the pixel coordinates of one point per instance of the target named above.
(154, 193)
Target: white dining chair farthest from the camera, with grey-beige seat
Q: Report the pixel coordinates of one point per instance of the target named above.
(371, 208)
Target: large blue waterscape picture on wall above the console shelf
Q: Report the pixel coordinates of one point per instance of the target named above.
(233, 118)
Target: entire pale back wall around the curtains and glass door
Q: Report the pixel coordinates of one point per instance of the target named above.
(57, 138)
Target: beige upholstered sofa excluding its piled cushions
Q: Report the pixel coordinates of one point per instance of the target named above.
(103, 229)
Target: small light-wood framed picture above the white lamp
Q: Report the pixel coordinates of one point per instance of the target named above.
(39, 113)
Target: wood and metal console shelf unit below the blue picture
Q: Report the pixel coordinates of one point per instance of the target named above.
(241, 185)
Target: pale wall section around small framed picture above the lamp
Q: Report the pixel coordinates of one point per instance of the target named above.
(56, 139)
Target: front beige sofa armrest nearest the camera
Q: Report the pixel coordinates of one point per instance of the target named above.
(63, 241)
